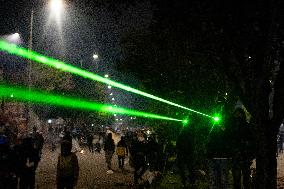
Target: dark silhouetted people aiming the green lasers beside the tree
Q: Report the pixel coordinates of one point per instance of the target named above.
(230, 146)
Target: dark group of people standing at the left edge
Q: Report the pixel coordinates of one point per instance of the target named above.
(19, 157)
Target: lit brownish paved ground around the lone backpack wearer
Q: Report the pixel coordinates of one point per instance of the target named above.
(92, 172)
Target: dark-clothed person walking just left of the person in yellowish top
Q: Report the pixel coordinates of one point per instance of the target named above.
(109, 150)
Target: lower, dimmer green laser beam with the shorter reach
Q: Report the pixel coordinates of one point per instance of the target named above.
(22, 94)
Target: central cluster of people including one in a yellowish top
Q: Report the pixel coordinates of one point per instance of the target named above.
(140, 150)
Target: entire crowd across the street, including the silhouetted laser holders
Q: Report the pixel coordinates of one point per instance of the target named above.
(229, 147)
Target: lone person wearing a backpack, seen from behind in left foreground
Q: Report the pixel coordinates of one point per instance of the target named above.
(67, 167)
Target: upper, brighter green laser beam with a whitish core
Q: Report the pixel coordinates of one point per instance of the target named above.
(25, 53)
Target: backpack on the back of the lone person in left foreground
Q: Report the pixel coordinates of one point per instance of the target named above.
(66, 165)
